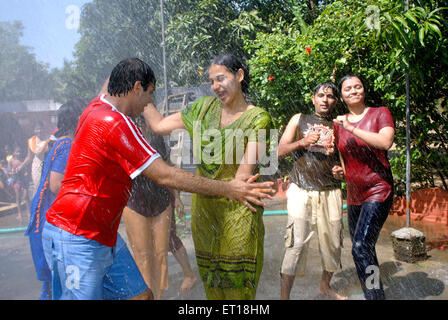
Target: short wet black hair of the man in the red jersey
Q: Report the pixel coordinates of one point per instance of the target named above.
(126, 73)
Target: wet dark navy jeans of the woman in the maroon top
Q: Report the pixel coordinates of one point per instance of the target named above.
(365, 222)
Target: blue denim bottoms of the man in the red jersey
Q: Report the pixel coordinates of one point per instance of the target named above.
(84, 269)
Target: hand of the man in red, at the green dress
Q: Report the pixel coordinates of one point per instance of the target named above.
(250, 192)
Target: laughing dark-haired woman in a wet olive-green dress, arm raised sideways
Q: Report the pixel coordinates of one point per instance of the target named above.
(228, 136)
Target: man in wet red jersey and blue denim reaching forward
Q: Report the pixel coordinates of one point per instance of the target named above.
(109, 151)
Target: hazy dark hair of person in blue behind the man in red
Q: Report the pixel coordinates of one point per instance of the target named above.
(68, 116)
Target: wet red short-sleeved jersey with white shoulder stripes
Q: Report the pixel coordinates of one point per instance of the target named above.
(108, 151)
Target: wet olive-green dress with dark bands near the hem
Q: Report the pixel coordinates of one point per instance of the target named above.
(227, 236)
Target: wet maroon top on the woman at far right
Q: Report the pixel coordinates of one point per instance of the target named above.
(368, 173)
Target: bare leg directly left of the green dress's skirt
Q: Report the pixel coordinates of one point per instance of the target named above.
(158, 263)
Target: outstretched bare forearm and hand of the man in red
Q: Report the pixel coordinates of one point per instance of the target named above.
(238, 190)
